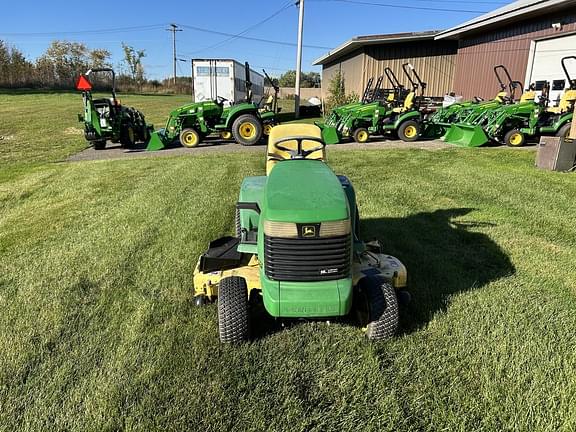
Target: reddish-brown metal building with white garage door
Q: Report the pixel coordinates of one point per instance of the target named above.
(529, 37)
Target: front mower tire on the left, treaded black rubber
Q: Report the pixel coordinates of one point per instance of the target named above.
(233, 324)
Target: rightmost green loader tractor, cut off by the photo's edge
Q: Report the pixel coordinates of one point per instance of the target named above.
(513, 124)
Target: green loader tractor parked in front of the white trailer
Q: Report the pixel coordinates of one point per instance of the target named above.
(246, 122)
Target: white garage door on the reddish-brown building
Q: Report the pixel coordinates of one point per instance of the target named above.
(544, 63)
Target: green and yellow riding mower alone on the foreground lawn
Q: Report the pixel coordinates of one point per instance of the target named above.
(297, 249)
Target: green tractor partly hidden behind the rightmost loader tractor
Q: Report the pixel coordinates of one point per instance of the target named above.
(438, 123)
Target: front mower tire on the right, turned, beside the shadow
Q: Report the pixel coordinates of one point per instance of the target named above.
(377, 308)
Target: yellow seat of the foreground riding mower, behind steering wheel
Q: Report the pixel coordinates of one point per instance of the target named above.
(279, 132)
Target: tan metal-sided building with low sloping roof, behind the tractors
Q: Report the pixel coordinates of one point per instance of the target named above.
(364, 57)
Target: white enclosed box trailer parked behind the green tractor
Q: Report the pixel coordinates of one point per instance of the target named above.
(224, 78)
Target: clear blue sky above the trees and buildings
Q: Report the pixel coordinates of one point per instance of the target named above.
(327, 23)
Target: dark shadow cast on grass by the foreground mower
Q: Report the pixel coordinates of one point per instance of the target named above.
(443, 257)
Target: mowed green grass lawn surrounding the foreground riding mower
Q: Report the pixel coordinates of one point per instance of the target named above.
(98, 329)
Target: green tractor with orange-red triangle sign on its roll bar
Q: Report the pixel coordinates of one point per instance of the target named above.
(106, 119)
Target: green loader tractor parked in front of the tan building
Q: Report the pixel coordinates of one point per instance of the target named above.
(399, 114)
